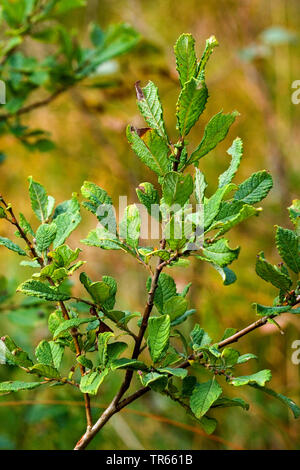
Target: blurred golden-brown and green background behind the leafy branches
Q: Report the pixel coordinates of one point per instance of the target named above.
(252, 71)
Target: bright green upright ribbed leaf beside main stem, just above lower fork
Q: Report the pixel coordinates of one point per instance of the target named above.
(158, 336)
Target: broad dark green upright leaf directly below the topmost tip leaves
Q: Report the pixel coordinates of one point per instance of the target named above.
(190, 105)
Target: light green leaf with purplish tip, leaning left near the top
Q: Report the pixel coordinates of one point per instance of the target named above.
(150, 107)
